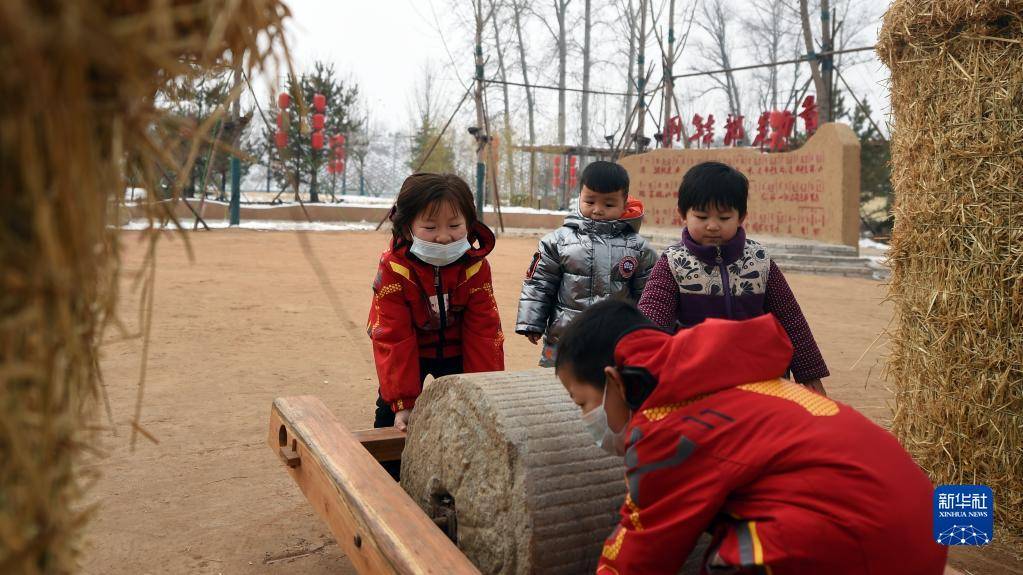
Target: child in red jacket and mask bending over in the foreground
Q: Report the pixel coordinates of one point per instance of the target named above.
(786, 480)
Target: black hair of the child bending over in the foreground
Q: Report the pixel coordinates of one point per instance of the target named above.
(588, 346)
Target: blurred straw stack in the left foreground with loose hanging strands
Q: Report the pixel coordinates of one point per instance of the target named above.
(78, 92)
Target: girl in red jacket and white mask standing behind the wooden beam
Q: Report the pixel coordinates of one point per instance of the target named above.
(434, 311)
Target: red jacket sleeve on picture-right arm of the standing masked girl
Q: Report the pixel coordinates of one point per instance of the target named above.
(482, 338)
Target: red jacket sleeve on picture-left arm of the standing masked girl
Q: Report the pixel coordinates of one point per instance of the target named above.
(396, 349)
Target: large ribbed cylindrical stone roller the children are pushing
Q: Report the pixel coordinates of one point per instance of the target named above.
(505, 464)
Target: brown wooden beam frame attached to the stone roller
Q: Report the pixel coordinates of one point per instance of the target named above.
(380, 528)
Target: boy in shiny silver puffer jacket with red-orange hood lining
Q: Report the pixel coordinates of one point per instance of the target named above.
(597, 254)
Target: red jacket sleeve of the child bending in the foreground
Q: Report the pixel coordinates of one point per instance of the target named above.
(676, 491)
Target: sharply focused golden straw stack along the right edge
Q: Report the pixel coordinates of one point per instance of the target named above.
(957, 254)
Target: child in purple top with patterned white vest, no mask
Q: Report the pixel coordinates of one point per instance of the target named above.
(717, 272)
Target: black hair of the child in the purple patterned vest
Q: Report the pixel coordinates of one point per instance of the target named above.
(714, 185)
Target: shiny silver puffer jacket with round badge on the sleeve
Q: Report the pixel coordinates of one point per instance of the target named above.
(579, 266)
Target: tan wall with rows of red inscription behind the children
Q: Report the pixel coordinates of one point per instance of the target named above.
(812, 193)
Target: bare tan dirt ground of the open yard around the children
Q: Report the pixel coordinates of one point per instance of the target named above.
(247, 322)
